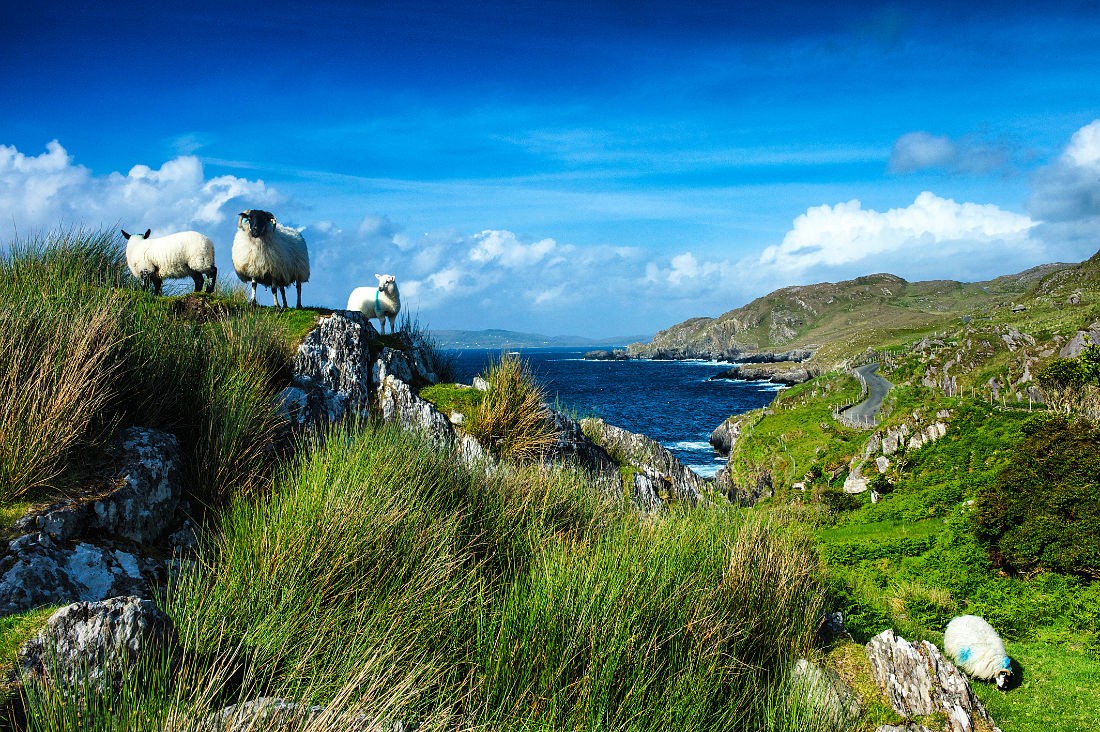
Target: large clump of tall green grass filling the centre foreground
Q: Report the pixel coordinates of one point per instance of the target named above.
(520, 600)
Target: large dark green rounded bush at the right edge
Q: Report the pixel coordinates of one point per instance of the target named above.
(1043, 512)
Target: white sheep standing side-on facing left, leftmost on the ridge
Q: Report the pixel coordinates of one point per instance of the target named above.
(183, 255)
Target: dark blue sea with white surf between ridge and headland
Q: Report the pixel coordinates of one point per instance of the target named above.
(674, 402)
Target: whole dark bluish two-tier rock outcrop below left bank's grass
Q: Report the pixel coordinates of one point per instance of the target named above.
(85, 549)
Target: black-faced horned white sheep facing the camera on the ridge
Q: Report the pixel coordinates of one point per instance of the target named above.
(269, 254)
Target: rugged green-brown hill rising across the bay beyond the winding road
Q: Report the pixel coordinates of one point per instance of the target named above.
(831, 323)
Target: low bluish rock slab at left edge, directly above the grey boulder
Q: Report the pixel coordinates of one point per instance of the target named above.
(38, 572)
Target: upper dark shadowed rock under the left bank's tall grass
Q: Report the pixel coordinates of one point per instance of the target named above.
(140, 506)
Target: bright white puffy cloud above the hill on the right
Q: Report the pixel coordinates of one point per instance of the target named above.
(850, 239)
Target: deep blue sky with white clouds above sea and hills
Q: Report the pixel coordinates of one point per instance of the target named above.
(595, 168)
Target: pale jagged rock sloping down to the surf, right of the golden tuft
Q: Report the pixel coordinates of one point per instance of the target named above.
(662, 474)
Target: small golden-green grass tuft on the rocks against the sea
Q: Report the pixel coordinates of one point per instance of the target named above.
(512, 419)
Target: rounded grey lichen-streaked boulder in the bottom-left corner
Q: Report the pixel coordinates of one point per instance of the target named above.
(90, 646)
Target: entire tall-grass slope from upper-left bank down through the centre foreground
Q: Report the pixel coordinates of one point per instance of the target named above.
(376, 575)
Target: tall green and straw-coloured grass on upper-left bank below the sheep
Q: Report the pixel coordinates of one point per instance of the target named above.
(86, 353)
